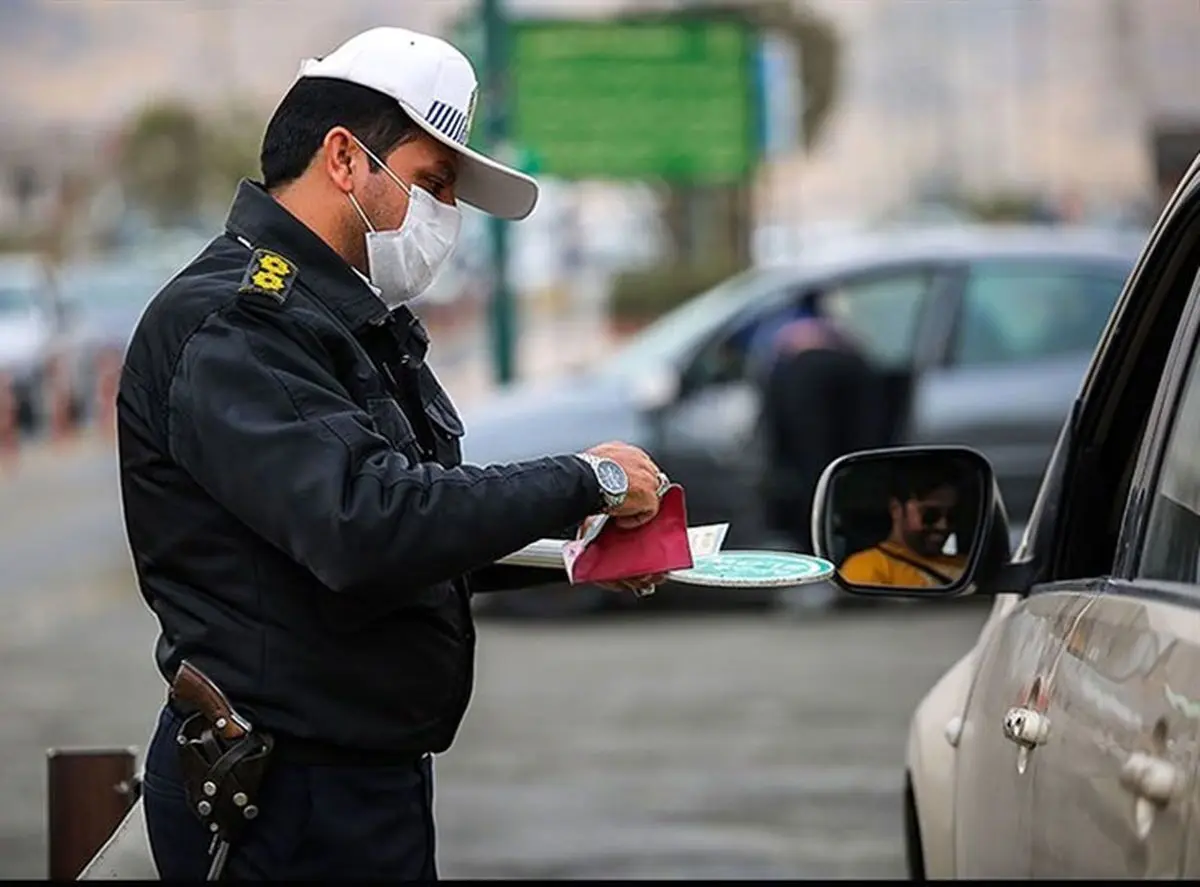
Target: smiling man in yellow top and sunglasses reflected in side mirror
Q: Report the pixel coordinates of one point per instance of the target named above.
(922, 549)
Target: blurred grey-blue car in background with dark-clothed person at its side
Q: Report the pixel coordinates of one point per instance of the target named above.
(982, 334)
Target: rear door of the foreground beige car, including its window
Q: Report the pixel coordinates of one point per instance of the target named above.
(1117, 780)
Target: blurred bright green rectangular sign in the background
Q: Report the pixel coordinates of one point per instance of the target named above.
(670, 99)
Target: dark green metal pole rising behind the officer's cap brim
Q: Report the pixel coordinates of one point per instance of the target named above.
(503, 311)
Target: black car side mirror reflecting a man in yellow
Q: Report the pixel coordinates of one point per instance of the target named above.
(911, 523)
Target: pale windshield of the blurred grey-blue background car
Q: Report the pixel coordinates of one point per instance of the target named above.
(677, 333)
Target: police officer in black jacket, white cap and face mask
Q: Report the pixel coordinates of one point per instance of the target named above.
(301, 522)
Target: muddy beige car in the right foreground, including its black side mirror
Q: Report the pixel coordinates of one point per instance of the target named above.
(1066, 745)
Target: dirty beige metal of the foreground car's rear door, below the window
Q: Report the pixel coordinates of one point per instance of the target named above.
(1121, 684)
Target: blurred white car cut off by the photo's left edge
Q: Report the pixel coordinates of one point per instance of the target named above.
(28, 333)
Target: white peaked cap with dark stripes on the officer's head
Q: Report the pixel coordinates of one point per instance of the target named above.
(436, 86)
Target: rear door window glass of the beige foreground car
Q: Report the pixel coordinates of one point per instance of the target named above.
(1172, 549)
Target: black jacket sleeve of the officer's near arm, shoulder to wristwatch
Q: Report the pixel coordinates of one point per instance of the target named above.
(262, 424)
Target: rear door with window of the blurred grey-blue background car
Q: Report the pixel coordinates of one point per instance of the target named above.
(1024, 338)
